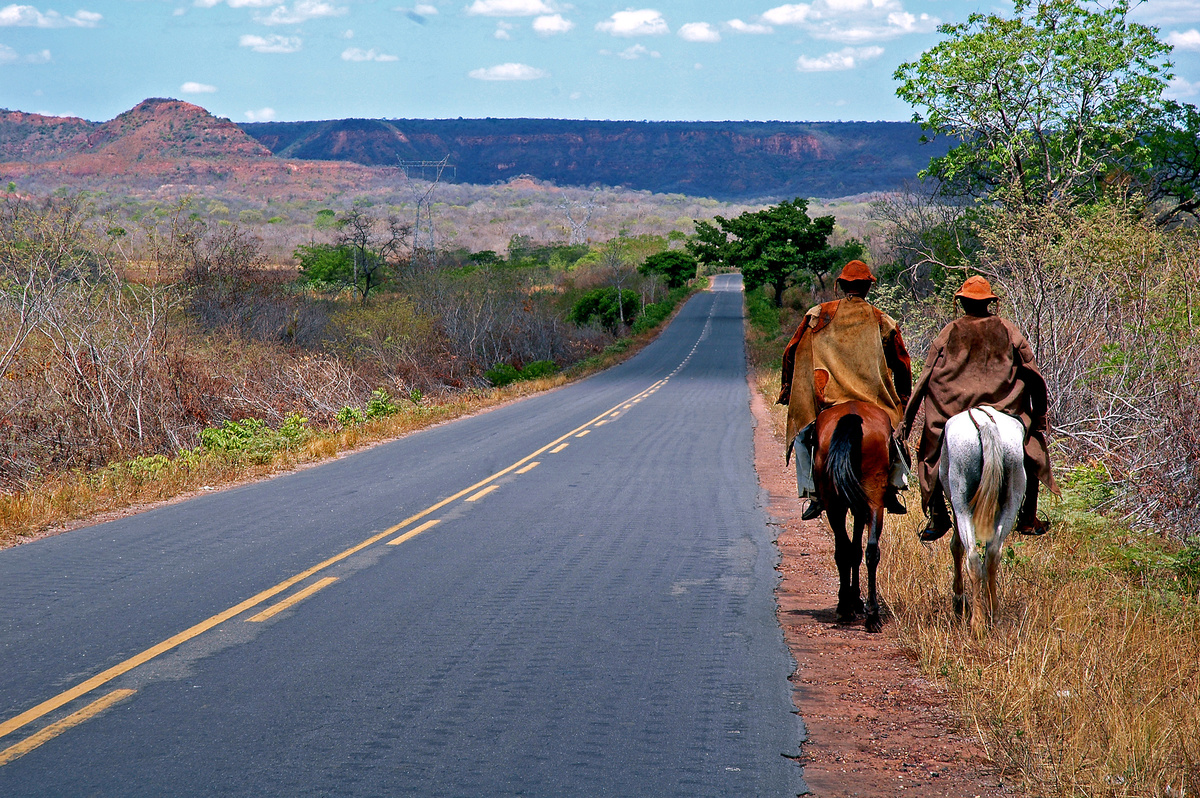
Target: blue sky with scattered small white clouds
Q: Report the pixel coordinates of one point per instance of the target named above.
(331, 59)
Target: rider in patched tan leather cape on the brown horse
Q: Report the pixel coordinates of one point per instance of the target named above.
(844, 351)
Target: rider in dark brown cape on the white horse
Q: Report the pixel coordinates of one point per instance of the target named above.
(980, 359)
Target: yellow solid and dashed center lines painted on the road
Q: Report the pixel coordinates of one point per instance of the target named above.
(473, 494)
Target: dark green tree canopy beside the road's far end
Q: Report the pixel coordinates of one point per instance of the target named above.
(777, 247)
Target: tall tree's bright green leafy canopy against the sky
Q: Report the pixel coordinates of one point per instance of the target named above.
(1051, 104)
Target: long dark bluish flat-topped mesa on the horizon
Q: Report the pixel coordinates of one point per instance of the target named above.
(723, 160)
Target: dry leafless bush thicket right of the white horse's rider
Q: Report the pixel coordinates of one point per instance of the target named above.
(1111, 305)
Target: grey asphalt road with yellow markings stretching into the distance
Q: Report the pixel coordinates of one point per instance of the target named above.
(567, 596)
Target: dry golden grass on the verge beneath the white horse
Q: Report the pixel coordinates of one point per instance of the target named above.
(1089, 683)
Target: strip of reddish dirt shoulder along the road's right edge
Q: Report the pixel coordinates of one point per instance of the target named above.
(877, 727)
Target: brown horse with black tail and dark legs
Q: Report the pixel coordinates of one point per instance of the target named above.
(851, 467)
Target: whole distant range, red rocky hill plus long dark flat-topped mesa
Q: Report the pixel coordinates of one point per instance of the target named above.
(164, 143)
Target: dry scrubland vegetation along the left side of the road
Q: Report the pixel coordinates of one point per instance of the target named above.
(146, 355)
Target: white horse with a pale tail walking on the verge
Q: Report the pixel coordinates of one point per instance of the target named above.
(983, 475)
